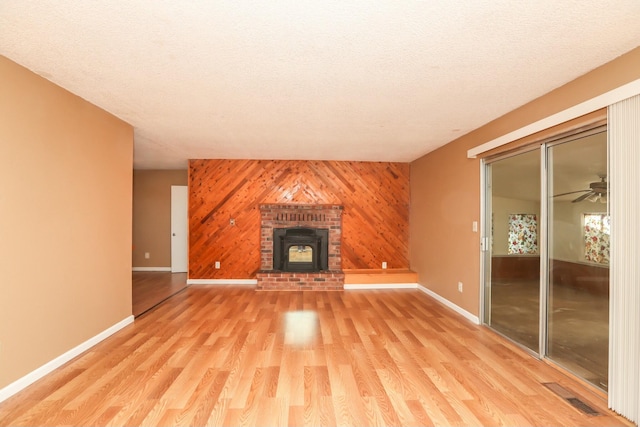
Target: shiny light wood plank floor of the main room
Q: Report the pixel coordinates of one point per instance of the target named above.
(230, 355)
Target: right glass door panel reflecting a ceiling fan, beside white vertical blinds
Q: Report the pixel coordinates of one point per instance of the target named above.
(578, 257)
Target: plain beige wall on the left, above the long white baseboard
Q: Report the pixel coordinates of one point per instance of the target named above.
(65, 221)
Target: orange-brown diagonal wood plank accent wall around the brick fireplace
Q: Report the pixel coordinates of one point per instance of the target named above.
(375, 196)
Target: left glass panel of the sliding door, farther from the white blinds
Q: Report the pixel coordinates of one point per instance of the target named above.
(512, 267)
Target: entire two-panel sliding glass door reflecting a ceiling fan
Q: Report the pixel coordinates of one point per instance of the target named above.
(550, 204)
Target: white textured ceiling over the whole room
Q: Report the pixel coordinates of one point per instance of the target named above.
(333, 80)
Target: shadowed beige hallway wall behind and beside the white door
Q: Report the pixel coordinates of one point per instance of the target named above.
(152, 215)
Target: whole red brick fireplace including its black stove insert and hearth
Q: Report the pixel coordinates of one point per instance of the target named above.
(285, 219)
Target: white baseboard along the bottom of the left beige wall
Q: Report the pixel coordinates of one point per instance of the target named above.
(50, 366)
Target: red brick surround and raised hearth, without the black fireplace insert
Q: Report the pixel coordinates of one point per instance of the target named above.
(311, 216)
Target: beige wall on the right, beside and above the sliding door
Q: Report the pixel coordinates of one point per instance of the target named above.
(445, 187)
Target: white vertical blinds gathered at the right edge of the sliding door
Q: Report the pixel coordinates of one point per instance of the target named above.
(624, 200)
